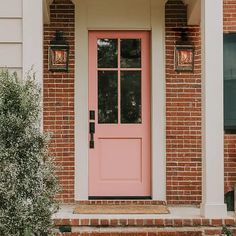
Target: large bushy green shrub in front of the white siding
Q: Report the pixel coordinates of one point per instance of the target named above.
(27, 181)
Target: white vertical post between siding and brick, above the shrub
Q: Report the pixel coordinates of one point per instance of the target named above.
(33, 37)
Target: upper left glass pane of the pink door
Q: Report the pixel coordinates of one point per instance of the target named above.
(107, 53)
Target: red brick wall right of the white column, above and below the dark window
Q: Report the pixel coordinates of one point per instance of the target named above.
(230, 139)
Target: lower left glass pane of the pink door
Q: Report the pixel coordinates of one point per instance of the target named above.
(107, 97)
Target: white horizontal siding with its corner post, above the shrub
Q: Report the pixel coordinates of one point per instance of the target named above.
(21, 36)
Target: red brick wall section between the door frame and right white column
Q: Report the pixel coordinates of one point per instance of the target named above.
(183, 114)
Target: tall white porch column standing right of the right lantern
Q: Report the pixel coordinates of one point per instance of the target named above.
(212, 109)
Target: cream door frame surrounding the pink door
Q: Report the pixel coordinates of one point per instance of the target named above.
(158, 157)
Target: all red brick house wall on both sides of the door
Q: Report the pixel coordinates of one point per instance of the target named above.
(183, 107)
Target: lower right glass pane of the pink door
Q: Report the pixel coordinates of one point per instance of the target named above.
(131, 97)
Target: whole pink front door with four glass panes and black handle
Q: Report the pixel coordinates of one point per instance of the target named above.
(119, 110)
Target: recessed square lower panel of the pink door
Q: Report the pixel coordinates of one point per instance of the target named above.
(117, 156)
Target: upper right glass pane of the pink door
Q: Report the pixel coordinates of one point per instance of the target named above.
(130, 53)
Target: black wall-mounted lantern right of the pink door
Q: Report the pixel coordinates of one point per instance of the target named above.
(184, 53)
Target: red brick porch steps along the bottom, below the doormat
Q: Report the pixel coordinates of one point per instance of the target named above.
(144, 227)
